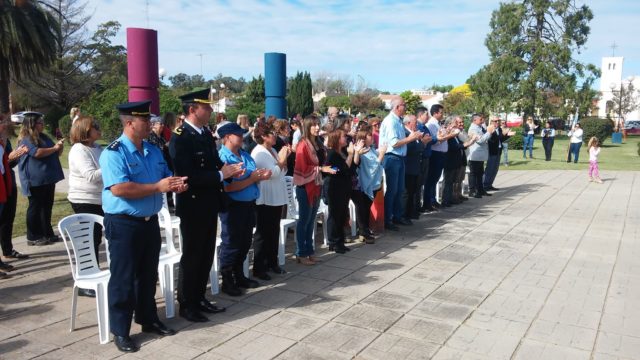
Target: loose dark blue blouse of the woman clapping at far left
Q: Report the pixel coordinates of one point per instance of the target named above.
(38, 172)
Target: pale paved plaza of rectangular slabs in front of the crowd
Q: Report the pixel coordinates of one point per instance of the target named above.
(547, 268)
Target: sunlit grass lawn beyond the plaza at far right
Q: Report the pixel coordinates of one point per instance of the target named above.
(612, 157)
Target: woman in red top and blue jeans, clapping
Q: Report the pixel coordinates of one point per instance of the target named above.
(307, 177)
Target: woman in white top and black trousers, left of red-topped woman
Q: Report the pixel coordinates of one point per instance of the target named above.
(273, 195)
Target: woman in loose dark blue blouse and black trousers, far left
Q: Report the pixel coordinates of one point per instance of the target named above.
(39, 170)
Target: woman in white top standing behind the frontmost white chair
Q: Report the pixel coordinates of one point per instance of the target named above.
(85, 175)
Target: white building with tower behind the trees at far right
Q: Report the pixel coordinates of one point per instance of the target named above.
(610, 82)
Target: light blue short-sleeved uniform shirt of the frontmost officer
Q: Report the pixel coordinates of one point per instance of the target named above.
(121, 162)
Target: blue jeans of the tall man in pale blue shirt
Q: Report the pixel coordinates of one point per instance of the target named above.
(394, 173)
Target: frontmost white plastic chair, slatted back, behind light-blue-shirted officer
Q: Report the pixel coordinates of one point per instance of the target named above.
(77, 233)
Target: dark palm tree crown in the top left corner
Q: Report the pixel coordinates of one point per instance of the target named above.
(27, 43)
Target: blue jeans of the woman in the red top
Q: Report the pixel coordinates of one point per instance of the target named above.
(306, 223)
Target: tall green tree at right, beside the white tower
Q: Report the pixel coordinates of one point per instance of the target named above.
(533, 43)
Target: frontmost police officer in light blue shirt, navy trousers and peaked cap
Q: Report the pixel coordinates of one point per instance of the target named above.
(135, 175)
